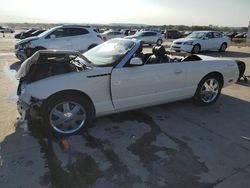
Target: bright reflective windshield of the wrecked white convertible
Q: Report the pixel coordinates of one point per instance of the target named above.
(110, 52)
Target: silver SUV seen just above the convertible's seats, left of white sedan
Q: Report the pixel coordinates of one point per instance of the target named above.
(148, 37)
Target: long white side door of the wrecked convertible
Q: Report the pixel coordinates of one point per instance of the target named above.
(150, 84)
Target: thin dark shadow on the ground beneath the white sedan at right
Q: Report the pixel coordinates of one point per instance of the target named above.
(230, 54)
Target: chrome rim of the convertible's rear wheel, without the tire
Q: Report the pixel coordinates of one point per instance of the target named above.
(209, 90)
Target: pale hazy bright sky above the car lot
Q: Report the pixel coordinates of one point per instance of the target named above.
(153, 12)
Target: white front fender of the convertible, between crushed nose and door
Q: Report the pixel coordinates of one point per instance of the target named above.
(95, 84)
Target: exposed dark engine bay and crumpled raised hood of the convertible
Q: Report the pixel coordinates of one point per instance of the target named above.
(44, 64)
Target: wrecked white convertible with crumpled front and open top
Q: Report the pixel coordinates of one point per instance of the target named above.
(67, 89)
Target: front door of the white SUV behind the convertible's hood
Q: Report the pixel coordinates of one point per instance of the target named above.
(58, 39)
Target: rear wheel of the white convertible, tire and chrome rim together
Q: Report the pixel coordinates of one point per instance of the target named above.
(208, 90)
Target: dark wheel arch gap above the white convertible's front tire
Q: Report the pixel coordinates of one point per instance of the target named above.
(72, 92)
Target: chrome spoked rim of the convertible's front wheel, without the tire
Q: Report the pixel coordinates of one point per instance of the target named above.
(67, 117)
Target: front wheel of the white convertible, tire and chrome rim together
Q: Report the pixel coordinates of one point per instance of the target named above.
(67, 115)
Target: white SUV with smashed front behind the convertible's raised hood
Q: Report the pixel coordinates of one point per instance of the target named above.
(64, 37)
